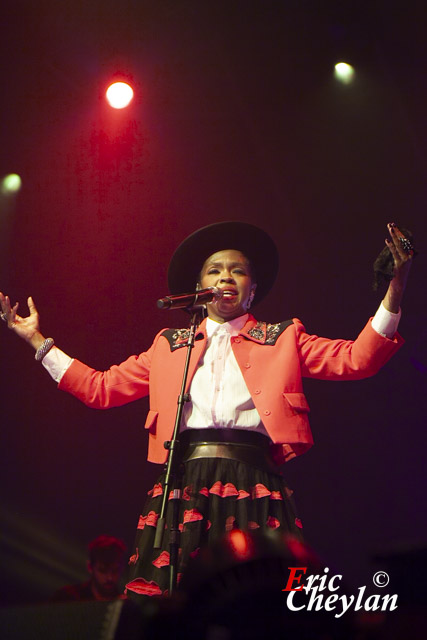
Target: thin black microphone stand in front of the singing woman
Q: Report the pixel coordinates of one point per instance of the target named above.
(172, 467)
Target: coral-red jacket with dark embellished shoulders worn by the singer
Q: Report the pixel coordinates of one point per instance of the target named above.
(273, 359)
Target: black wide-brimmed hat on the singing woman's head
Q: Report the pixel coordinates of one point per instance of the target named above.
(253, 242)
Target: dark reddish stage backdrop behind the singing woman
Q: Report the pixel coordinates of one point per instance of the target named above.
(236, 116)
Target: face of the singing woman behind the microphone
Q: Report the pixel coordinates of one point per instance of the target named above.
(230, 271)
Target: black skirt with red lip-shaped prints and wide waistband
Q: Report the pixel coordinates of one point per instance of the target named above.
(242, 490)
